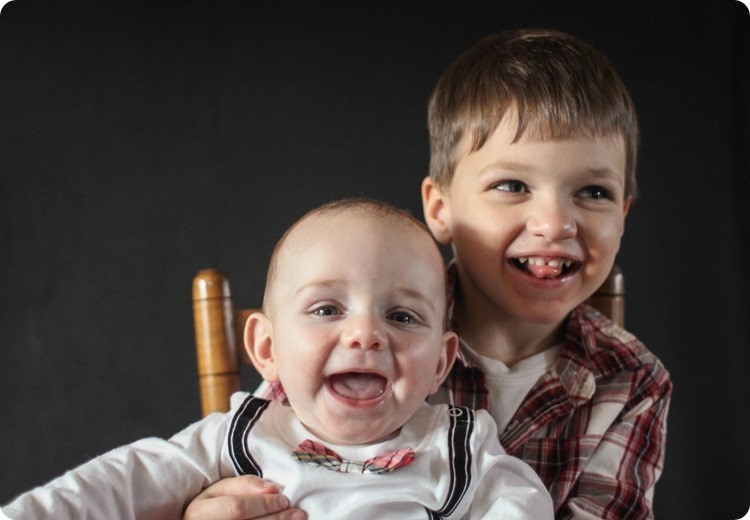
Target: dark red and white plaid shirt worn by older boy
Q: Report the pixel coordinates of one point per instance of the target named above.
(593, 427)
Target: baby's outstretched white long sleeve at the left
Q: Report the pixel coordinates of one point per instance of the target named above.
(148, 479)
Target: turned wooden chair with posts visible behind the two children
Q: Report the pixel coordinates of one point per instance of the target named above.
(219, 332)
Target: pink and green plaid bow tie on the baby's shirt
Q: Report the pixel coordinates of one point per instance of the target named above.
(316, 454)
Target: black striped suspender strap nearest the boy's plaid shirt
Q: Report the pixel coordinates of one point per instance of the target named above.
(459, 437)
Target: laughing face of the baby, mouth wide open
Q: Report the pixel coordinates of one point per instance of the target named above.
(357, 314)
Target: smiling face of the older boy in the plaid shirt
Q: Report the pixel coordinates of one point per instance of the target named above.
(535, 224)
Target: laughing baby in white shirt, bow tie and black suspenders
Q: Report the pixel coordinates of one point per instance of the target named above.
(354, 326)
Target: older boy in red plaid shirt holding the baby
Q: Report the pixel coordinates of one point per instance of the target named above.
(534, 142)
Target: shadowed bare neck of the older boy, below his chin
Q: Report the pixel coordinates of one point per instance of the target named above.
(506, 340)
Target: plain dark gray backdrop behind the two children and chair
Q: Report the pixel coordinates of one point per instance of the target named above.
(142, 141)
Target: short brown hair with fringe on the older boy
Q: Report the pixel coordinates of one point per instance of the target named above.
(559, 85)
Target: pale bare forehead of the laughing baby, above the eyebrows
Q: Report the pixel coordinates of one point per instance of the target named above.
(346, 249)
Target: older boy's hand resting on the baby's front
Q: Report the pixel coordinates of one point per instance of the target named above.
(242, 498)
